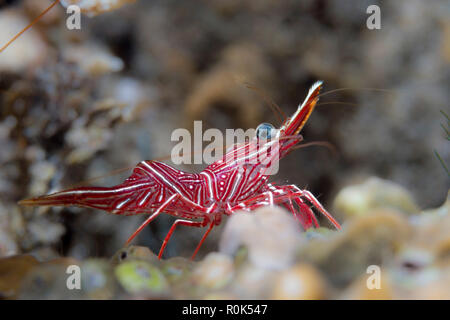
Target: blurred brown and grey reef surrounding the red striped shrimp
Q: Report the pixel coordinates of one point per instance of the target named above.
(78, 104)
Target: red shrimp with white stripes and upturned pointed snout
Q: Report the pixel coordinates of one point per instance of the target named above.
(238, 181)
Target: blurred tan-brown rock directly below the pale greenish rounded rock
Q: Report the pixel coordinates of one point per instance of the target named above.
(366, 240)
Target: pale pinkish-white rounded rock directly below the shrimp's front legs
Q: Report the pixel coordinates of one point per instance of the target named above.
(271, 235)
